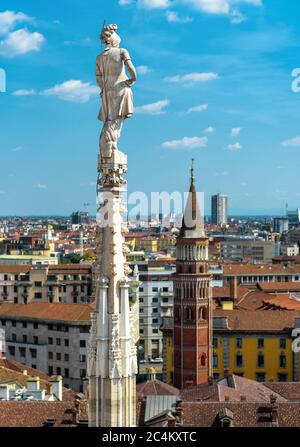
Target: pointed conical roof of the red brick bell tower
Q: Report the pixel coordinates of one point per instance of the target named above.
(192, 221)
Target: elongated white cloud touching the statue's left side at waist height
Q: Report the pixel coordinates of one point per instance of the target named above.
(73, 91)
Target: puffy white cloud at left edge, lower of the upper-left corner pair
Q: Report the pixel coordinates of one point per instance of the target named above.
(21, 41)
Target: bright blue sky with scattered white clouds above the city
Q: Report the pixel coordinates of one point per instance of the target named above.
(214, 84)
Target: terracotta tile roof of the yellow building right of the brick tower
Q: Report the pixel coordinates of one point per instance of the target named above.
(259, 320)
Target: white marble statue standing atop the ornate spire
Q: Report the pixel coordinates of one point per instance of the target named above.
(116, 93)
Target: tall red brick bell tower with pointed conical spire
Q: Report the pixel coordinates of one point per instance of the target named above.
(192, 299)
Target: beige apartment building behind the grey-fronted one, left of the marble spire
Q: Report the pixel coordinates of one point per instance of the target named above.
(22, 284)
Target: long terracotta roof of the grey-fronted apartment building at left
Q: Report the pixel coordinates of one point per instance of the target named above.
(48, 311)
